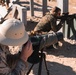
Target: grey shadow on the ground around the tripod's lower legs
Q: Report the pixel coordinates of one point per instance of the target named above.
(54, 69)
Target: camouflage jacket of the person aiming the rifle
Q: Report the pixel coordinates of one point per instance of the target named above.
(47, 23)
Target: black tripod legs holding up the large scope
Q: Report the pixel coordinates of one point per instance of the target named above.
(42, 57)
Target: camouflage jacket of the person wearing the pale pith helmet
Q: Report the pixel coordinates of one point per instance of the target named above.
(11, 68)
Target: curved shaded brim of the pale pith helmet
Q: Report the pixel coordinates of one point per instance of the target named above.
(14, 42)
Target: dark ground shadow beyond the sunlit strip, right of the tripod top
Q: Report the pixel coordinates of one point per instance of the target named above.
(67, 50)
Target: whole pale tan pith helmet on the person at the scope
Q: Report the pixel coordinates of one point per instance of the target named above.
(13, 33)
